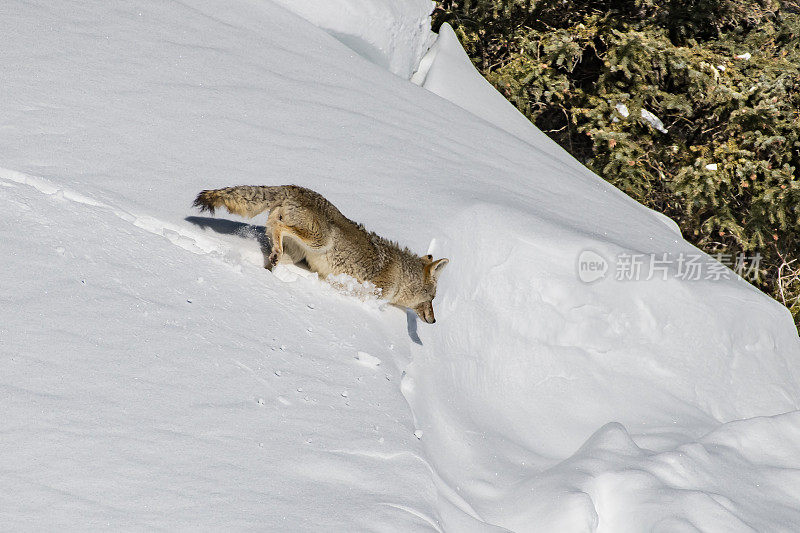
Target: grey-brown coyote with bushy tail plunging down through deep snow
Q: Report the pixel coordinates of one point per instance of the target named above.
(304, 225)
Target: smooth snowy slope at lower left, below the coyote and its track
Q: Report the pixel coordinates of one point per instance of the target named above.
(146, 387)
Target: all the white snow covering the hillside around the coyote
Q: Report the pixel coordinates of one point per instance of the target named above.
(154, 375)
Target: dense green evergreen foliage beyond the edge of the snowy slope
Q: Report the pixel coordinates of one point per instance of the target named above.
(728, 167)
